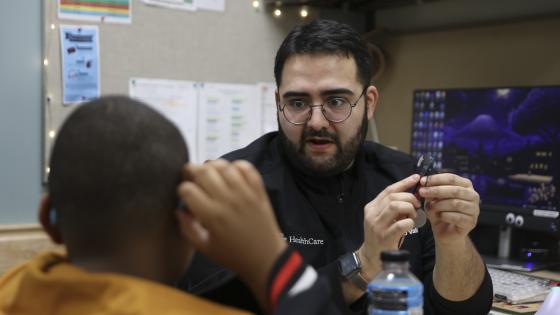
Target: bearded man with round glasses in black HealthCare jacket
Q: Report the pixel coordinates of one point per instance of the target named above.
(341, 200)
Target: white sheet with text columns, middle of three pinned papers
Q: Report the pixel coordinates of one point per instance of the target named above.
(229, 118)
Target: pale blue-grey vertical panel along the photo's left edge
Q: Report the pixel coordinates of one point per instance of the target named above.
(20, 110)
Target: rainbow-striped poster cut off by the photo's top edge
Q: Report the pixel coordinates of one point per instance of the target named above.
(111, 11)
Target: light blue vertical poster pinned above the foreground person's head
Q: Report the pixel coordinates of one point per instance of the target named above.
(80, 63)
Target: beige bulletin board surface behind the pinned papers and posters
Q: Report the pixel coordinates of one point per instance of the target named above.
(236, 45)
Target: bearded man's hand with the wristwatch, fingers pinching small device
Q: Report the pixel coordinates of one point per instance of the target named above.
(386, 219)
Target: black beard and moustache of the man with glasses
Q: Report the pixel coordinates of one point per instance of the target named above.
(338, 163)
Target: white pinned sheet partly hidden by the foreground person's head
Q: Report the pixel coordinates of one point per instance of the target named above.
(174, 99)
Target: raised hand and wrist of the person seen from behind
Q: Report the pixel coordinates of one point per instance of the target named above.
(230, 220)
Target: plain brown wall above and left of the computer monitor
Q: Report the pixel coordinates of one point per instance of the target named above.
(521, 53)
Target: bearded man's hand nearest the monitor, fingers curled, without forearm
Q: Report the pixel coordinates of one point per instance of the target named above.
(452, 206)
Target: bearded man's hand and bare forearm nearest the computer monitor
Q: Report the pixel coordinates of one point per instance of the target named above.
(452, 206)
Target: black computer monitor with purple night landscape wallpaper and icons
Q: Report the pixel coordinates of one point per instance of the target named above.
(505, 140)
